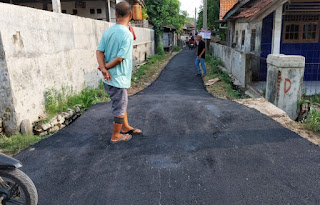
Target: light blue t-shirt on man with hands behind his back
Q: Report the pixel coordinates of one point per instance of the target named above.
(117, 42)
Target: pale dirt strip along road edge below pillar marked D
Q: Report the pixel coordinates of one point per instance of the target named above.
(280, 116)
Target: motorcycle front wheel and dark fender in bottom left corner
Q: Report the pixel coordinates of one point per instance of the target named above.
(15, 186)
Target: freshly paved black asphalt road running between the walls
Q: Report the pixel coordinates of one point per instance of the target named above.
(196, 150)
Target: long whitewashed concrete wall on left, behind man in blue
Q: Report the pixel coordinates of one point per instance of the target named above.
(49, 50)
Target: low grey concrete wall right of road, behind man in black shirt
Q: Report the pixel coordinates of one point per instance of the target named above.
(235, 61)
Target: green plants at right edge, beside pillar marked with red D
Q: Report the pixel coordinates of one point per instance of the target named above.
(312, 121)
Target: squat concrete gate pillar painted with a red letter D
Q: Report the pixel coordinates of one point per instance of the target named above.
(284, 82)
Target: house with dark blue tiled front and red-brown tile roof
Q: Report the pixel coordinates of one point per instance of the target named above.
(263, 27)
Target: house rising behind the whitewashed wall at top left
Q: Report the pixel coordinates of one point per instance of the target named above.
(94, 9)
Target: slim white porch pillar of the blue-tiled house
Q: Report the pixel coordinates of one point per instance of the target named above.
(277, 27)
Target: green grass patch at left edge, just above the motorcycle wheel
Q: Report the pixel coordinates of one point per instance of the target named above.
(14, 144)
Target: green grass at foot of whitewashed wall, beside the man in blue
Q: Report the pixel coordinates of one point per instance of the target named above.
(57, 102)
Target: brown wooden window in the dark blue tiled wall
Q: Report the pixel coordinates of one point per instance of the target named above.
(301, 29)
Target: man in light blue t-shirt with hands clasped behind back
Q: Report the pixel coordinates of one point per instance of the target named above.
(114, 55)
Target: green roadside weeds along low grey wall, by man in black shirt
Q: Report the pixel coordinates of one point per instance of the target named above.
(224, 87)
